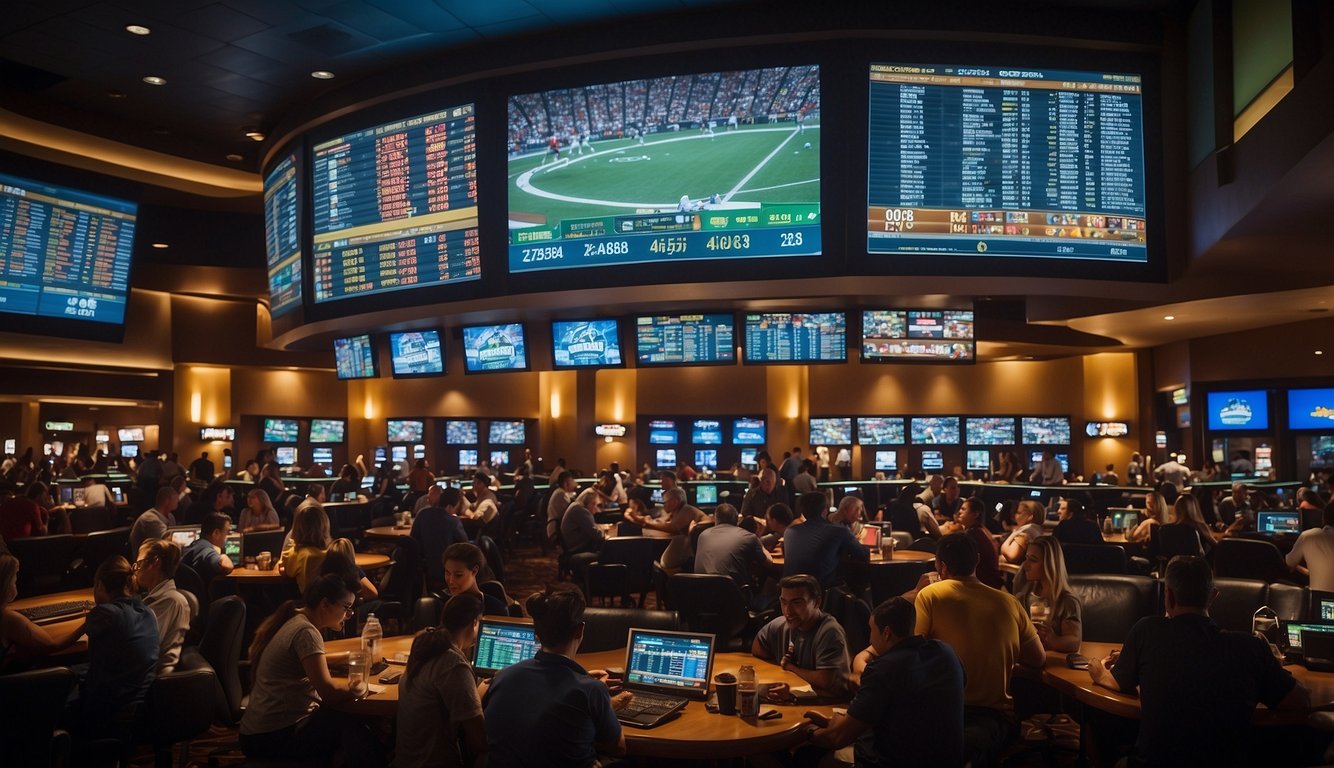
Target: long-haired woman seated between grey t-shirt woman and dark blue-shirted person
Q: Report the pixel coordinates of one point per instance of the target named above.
(440, 705)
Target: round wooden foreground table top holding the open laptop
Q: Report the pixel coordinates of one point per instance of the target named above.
(697, 734)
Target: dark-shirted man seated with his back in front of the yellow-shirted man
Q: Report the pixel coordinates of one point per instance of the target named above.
(909, 687)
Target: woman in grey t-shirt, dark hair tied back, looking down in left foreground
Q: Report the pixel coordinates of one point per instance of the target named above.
(291, 713)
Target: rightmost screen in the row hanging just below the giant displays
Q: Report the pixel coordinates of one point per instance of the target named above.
(898, 335)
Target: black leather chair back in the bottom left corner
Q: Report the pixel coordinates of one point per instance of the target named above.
(33, 707)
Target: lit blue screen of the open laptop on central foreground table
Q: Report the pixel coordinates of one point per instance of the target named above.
(670, 662)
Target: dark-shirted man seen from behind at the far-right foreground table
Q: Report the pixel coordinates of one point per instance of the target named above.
(1199, 685)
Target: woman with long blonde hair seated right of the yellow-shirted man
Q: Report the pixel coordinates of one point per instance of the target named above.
(1044, 581)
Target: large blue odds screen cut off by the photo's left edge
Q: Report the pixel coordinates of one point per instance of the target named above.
(63, 253)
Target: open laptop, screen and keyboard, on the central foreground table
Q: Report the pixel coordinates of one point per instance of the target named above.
(665, 670)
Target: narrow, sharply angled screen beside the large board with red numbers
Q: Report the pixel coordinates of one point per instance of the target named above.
(283, 237)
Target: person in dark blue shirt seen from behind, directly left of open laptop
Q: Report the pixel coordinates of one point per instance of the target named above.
(549, 710)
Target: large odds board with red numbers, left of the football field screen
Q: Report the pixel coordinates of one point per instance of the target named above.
(397, 207)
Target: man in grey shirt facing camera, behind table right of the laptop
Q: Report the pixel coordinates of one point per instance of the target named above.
(806, 641)
